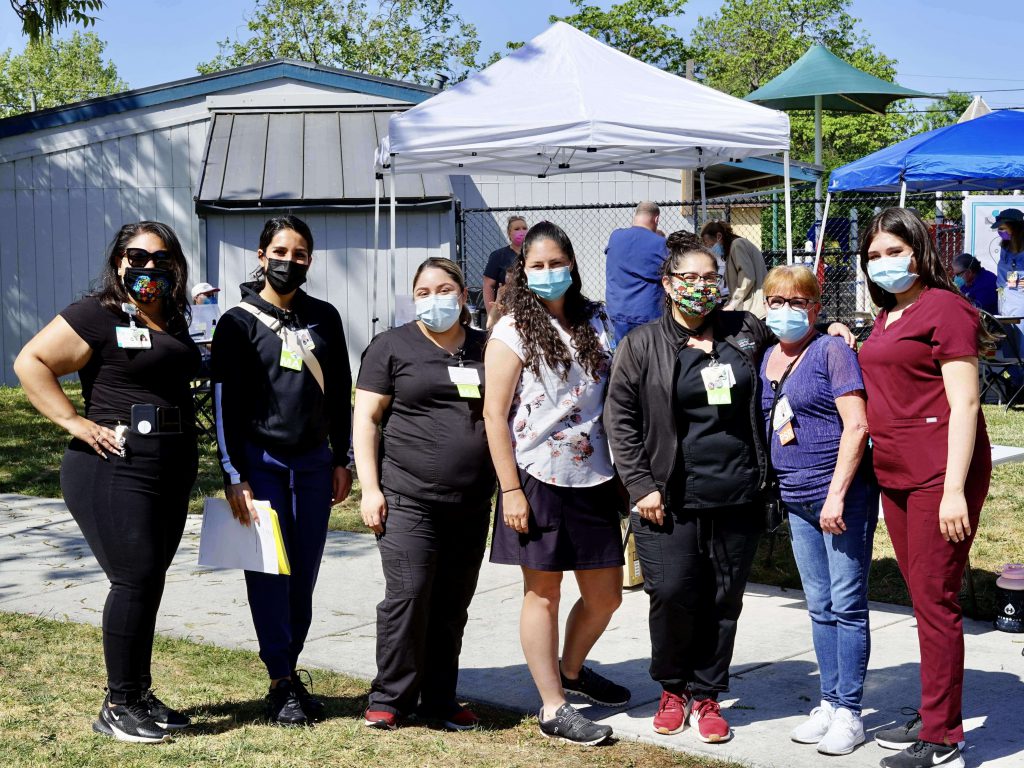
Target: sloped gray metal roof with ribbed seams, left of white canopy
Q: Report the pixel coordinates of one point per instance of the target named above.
(308, 158)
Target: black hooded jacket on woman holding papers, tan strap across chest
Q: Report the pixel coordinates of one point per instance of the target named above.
(260, 402)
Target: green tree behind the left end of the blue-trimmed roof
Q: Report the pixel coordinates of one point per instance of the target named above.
(51, 73)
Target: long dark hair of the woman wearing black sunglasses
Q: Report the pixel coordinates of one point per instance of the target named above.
(112, 292)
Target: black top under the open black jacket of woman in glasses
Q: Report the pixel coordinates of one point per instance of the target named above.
(719, 465)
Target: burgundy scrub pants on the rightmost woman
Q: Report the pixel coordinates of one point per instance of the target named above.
(933, 570)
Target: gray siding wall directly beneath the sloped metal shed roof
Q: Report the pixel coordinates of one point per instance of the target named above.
(343, 268)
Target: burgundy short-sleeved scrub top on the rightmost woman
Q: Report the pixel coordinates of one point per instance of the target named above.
(908, 411)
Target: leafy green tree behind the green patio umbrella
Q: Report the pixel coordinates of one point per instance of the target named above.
(749, 42)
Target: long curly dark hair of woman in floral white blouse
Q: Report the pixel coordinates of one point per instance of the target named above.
(541, 342)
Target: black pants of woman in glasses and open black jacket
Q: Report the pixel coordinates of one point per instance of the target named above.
(696, 567)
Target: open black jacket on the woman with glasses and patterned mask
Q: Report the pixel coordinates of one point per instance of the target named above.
(639, 416)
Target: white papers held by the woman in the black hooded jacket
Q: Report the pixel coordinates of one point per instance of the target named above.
(225, 543)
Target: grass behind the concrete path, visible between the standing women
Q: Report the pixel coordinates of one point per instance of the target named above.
(31, 449)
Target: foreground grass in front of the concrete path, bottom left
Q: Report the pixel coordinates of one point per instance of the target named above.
(52, 689)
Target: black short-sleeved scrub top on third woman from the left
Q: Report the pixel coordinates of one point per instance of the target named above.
(434, 445)
